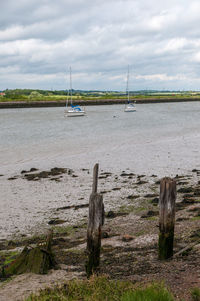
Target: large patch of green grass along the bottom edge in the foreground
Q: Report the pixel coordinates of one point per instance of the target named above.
(102, 289)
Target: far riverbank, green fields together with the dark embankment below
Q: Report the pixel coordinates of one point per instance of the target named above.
(36, 98)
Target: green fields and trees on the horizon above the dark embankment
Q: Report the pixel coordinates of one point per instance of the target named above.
(29, 95)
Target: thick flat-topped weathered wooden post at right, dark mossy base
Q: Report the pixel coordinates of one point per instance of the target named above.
(167, 217)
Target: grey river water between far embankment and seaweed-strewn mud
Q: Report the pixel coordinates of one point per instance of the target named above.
(158, 138)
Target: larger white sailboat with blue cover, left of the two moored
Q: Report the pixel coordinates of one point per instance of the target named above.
(73, 110)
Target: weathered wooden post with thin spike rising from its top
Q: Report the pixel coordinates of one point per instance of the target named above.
(95, 222)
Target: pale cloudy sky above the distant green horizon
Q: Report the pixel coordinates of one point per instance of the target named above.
(40, 39)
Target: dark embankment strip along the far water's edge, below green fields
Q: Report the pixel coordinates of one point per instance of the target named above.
(93, 102)
